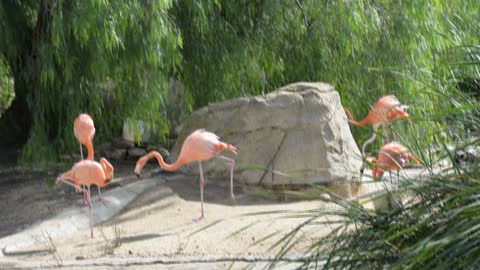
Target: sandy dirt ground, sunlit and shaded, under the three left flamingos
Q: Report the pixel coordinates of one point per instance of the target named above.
(159, 222)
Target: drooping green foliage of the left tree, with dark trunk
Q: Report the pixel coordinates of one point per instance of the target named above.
(111, 59)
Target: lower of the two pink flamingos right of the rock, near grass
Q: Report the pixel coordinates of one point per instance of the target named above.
(392, 156)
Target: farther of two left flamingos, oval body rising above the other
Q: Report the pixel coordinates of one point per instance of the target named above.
(84, 130)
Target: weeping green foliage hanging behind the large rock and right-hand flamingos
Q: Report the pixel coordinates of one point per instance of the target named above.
(366, 49)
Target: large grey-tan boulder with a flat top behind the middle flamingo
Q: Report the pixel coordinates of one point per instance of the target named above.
(298, 134)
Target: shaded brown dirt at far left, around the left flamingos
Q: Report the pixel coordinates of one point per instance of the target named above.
(27, 197)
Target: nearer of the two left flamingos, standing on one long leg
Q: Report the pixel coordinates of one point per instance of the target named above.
(87, 172)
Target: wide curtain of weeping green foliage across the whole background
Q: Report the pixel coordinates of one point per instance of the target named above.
(115, 60)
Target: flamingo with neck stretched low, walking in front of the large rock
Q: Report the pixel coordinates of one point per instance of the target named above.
(200, 145)
